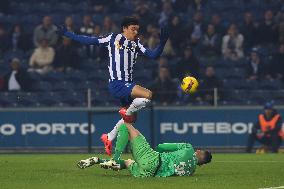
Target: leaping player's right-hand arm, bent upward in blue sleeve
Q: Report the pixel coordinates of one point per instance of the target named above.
(155, 53)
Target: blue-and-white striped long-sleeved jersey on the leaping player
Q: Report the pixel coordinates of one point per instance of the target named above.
(122, 53)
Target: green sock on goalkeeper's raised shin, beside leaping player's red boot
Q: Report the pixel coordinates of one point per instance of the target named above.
(121, 142)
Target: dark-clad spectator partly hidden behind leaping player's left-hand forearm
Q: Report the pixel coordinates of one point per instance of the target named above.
(88, 29)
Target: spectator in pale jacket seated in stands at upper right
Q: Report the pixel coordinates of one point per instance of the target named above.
(232, 44)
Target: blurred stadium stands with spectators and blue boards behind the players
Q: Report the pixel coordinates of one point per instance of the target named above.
(61, 102)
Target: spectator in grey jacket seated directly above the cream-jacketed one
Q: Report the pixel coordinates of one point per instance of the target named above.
(47, 31)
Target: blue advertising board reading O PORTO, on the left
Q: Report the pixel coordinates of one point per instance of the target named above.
(56, 129)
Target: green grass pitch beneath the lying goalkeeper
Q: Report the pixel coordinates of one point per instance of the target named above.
(232, 171)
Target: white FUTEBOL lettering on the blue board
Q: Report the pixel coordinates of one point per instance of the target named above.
(206, 128)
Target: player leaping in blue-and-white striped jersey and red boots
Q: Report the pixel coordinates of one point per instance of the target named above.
(123, 49)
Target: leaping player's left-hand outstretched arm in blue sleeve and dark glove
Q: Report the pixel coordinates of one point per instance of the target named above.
(87, 40)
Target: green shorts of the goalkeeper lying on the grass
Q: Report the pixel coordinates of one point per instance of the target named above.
(146, 159)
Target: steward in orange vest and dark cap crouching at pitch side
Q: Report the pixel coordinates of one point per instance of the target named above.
(267, 130)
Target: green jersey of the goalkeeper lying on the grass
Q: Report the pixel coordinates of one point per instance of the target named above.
(176, 159)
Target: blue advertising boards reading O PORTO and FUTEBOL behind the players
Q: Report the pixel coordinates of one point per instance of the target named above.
(213, 127)
